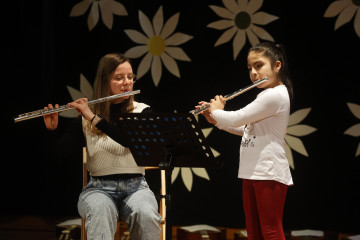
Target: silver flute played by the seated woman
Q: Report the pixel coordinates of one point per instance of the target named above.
(42, 112)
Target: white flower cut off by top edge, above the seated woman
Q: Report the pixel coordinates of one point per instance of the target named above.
(107, 9)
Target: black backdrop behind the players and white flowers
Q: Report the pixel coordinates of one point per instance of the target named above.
(44, 50)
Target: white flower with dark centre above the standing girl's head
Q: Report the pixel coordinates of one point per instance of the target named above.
(239, 18)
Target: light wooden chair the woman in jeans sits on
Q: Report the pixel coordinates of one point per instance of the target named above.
(121, 224)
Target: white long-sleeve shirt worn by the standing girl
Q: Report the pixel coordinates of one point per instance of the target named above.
(263, 124)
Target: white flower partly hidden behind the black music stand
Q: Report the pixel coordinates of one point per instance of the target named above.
(187, 173)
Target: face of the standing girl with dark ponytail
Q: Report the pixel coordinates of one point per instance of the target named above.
(260, 67)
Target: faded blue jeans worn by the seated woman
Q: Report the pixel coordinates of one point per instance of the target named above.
(102, 202)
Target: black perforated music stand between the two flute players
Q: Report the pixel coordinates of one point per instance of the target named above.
(166, 141)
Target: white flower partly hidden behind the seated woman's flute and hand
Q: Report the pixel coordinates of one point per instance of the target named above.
(85, 92)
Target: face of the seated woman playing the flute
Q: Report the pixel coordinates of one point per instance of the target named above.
(122, 81)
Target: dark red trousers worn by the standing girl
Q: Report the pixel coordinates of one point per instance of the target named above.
(263, 205)
